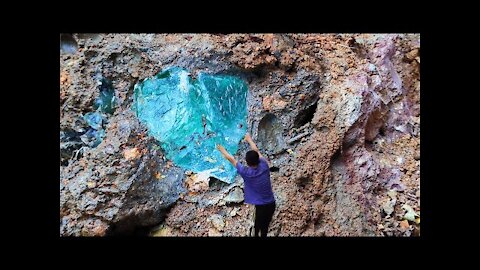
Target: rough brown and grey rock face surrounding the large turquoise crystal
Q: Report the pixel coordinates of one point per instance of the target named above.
(337, 115)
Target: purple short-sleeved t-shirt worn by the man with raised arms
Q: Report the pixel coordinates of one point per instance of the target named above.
(258, 188)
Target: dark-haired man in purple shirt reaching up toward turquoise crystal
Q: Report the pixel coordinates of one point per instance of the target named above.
(258, 188)
